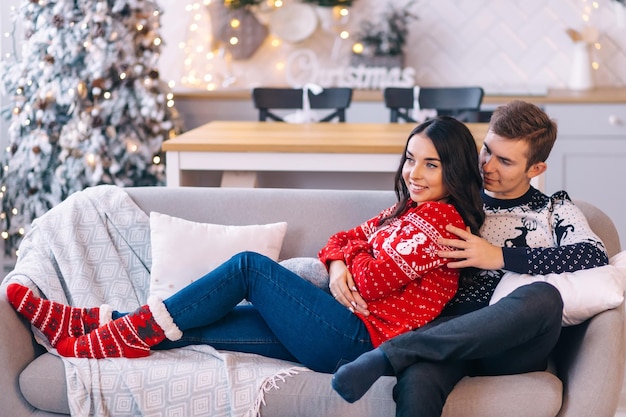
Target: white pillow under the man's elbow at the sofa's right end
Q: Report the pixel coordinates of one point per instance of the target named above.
(585, 293)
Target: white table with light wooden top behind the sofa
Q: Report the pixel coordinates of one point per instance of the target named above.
(242, 149)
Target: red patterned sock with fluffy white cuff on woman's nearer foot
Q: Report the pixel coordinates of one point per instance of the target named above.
(130, 336)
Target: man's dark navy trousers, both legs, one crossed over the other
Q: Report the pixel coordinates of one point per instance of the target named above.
(514, 335)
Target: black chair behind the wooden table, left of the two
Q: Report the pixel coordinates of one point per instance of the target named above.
(267, 99)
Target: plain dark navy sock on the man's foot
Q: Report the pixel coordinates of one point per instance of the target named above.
(353, 379)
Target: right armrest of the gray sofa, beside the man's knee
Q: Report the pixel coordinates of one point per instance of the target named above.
(590, 362)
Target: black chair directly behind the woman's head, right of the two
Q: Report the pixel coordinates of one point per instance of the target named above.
(462, 103)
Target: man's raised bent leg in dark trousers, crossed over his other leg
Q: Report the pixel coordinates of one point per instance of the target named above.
(530, 315)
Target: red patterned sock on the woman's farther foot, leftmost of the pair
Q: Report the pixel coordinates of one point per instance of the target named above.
(57, 321)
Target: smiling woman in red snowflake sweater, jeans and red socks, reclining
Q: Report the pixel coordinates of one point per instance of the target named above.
(392, 259)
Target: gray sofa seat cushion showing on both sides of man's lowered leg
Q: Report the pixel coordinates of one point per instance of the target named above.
(309, 394)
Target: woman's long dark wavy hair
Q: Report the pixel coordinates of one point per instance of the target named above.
(459, 159)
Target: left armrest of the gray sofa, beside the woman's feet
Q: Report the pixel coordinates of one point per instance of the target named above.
(17, 349)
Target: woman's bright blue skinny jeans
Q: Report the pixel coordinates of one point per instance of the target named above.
(289, 318)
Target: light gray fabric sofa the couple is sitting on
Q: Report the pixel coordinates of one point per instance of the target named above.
(588, 361)
